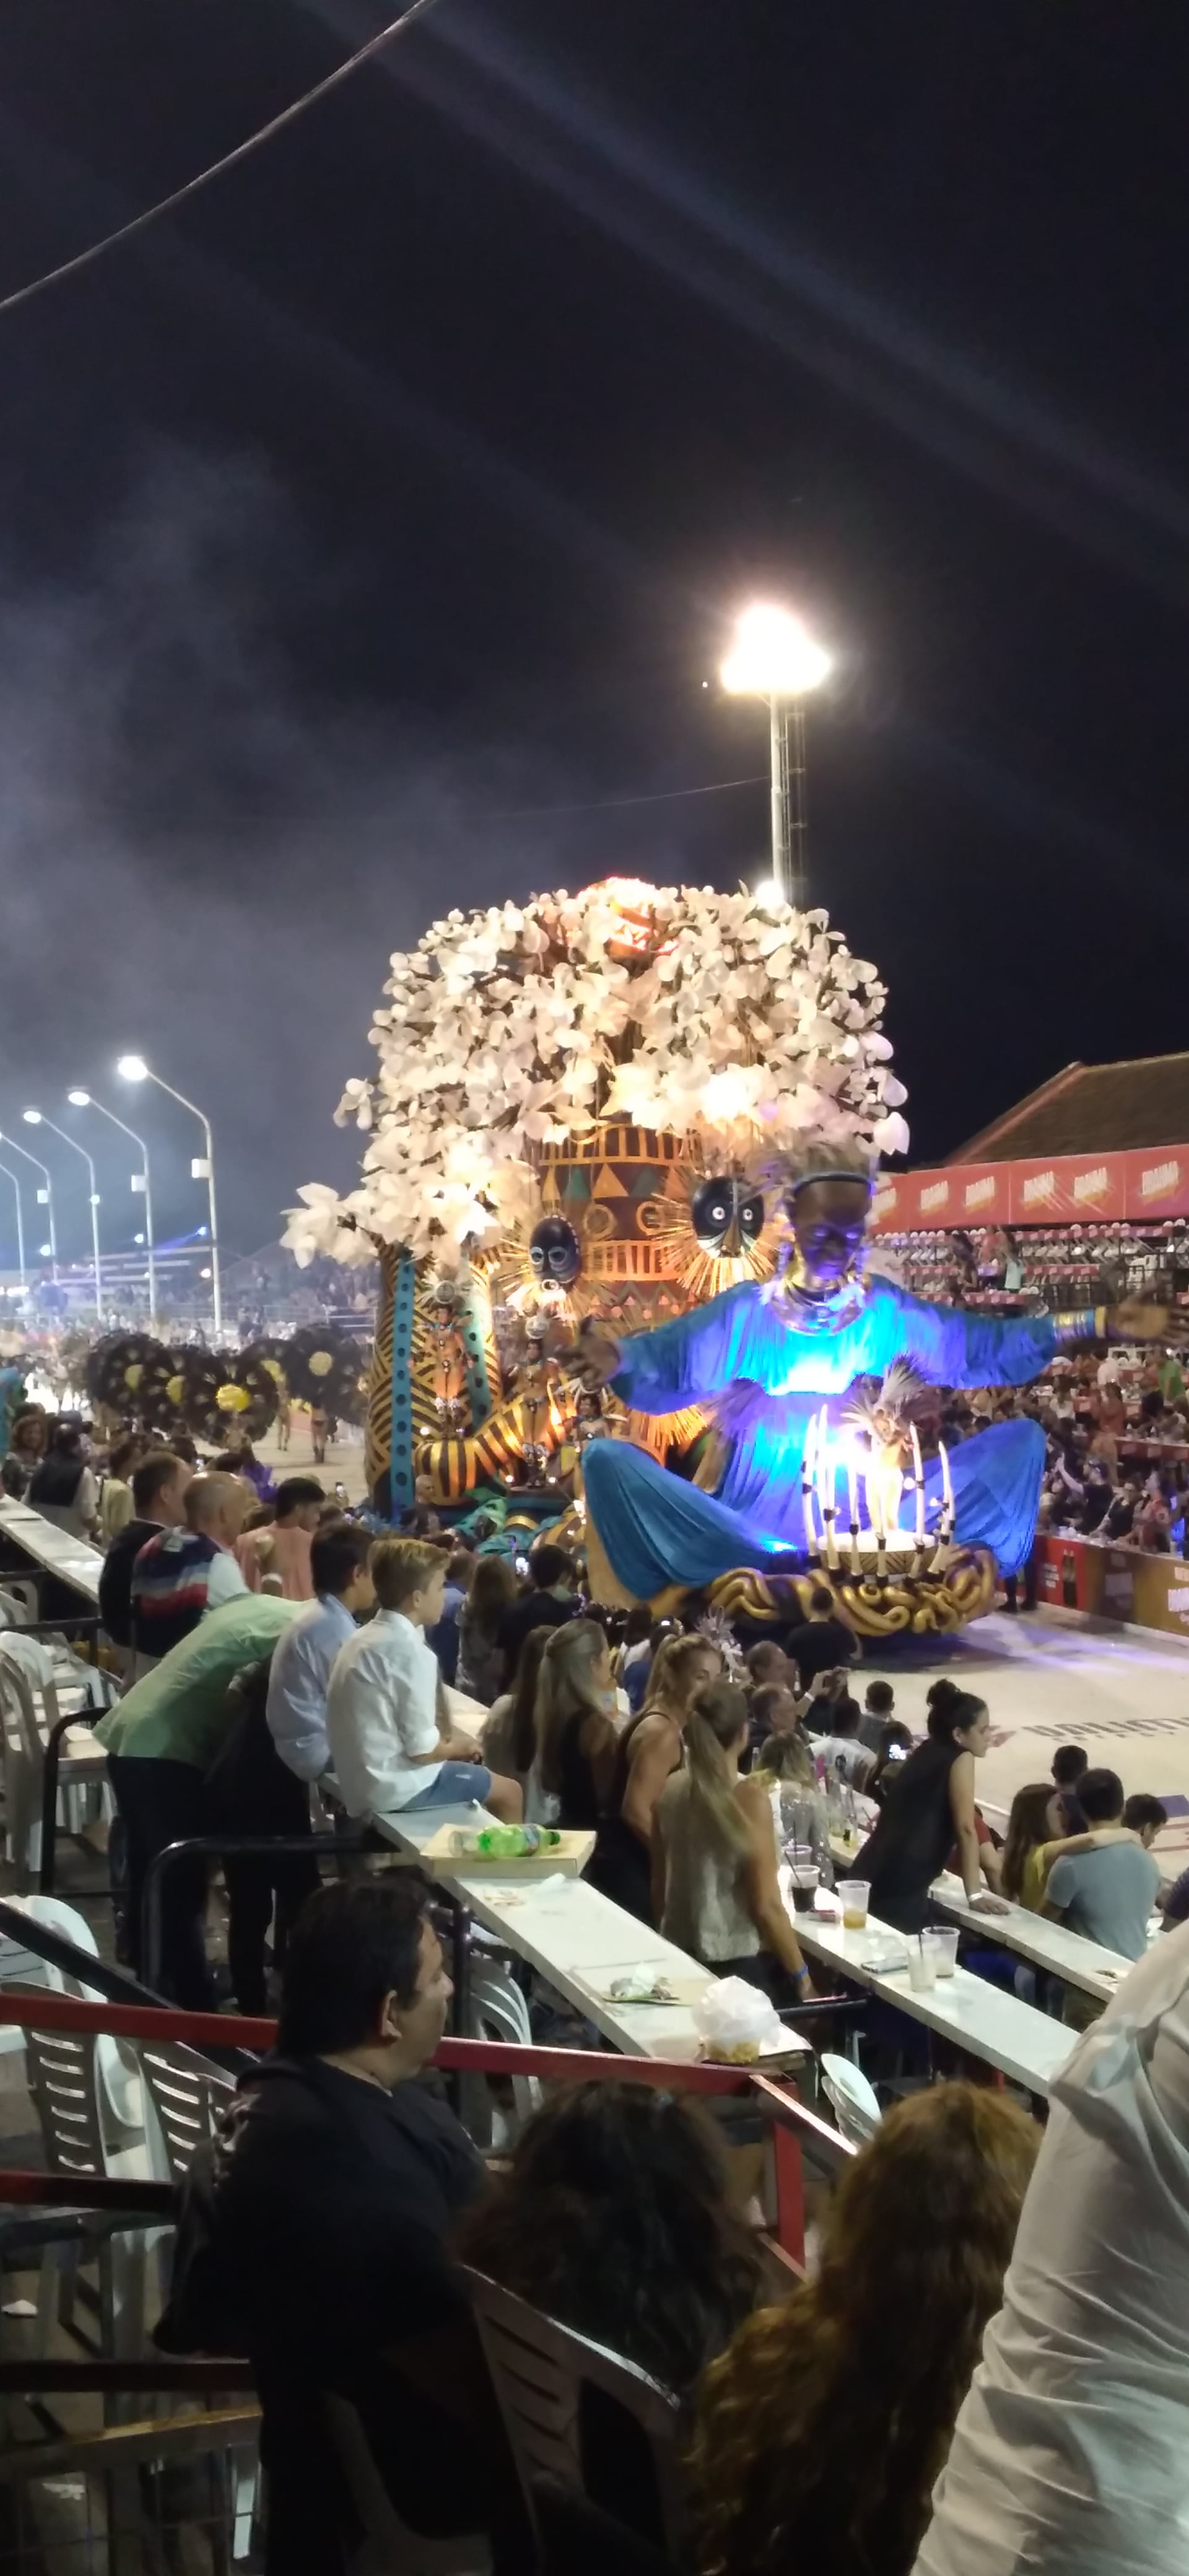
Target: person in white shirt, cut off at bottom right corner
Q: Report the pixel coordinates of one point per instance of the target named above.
(1072, 2448)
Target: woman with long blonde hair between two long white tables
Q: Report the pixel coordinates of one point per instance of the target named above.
(714, 1856)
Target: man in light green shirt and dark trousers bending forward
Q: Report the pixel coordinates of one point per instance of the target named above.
(161, 1745)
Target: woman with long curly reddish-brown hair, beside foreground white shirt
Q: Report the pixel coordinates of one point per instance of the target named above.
(825, 2425)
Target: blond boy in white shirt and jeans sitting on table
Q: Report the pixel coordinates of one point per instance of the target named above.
(382, 1707)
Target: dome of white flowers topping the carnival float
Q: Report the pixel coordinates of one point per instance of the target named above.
(513, 1029)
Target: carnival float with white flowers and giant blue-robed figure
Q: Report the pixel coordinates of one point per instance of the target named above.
(588, 1117)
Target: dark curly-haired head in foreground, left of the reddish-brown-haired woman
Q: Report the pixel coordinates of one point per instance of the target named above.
(614, 2219)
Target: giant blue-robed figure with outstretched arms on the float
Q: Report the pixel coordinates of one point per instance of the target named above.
(766, 1356)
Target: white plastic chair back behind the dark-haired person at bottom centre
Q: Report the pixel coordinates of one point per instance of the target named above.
(539, 2371)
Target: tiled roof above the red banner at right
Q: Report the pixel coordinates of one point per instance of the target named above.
(1092, 1109)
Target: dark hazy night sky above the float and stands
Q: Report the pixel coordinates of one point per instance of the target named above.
(410, 475)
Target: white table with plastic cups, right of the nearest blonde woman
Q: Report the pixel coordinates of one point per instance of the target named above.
(979, 2018)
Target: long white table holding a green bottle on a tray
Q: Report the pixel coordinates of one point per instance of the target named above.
(575, 1938)
